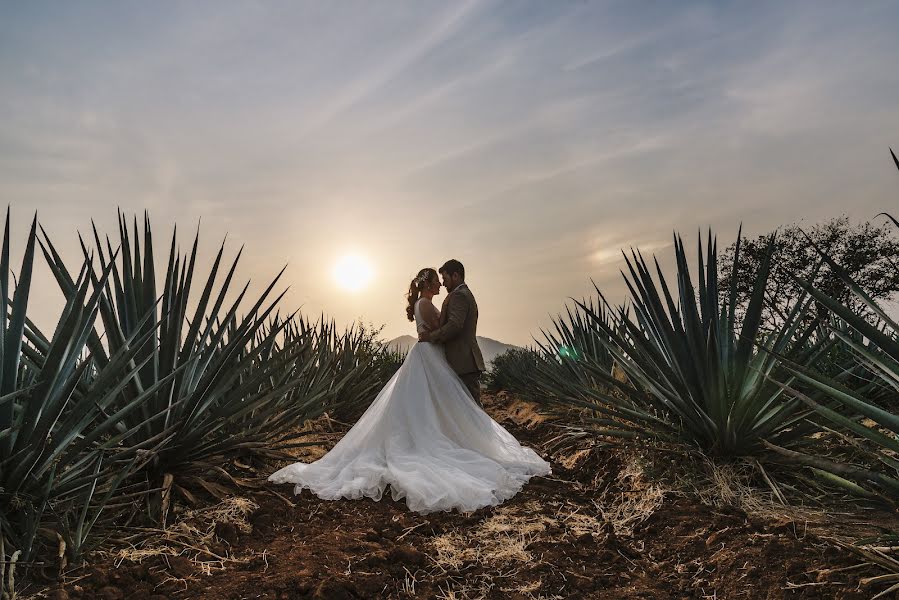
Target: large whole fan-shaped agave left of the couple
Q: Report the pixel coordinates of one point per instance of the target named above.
(218, 382)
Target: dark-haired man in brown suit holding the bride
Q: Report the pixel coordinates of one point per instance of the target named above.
(458, 328)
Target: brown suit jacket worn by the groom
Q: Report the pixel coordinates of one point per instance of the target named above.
(458, 331)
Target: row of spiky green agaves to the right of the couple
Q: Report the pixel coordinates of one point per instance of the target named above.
(685, 366)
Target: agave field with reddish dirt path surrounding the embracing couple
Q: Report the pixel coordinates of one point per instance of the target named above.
(700, 448)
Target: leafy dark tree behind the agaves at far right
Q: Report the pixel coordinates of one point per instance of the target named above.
(867, 251)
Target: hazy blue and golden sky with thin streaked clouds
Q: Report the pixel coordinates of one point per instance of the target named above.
(531, 140)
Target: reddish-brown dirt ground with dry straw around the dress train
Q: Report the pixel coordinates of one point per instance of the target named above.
(597, 528)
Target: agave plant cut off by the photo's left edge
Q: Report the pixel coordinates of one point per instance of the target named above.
(54, 435)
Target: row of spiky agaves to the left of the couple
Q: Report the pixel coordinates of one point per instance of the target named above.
(134, 398)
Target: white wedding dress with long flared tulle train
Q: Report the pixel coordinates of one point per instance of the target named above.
(426, 437)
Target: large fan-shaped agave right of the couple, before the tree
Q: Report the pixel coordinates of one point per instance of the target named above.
(688, 370)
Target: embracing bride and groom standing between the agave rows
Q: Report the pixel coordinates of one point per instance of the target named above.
(425, 434)
